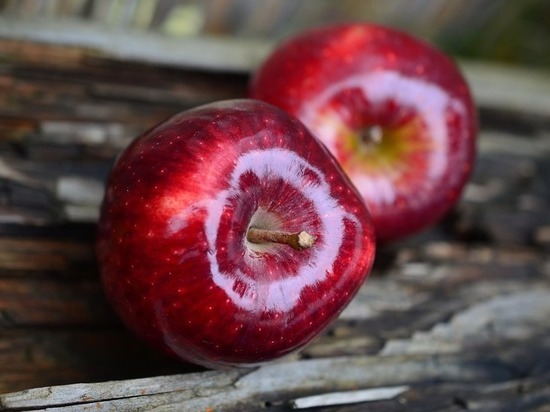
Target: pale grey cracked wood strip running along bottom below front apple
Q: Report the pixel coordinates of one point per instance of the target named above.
(286, 379)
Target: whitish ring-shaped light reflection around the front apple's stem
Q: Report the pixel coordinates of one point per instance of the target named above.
(290, 167)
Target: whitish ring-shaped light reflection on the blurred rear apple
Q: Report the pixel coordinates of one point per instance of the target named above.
(379, 188)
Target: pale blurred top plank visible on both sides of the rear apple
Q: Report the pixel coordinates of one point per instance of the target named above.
(494, 86)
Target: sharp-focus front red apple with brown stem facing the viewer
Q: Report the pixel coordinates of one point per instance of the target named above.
(229, 235)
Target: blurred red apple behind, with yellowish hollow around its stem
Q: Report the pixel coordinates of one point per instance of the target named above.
(396, 113)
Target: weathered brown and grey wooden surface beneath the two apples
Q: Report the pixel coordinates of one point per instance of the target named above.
(455, 318)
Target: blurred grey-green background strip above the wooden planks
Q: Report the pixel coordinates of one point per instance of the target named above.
(508, 31)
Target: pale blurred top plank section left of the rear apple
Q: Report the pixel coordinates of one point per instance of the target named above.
(219, 54)
